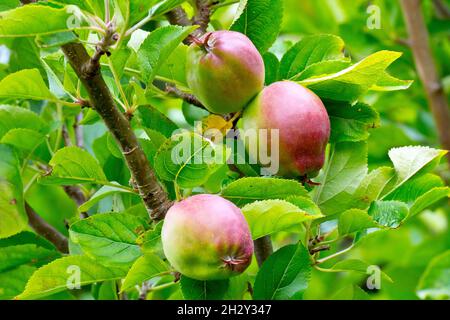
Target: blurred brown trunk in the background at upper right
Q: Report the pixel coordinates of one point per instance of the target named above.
(419, 40)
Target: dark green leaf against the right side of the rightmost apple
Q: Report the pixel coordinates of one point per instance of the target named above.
(351, 122)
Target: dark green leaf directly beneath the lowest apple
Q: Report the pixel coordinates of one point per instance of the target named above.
(203, 290)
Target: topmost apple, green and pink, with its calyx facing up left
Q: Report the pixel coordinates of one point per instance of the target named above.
(224, 71)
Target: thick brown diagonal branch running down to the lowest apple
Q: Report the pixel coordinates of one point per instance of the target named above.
(88, 70)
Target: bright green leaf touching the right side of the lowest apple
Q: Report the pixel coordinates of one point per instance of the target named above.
(270, 216)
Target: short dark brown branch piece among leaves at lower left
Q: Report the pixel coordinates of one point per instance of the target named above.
(46, 230)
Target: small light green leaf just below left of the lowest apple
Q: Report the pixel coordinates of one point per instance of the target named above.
(143, 269)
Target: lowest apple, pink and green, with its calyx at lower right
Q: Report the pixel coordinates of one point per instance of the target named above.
(206, 237)
